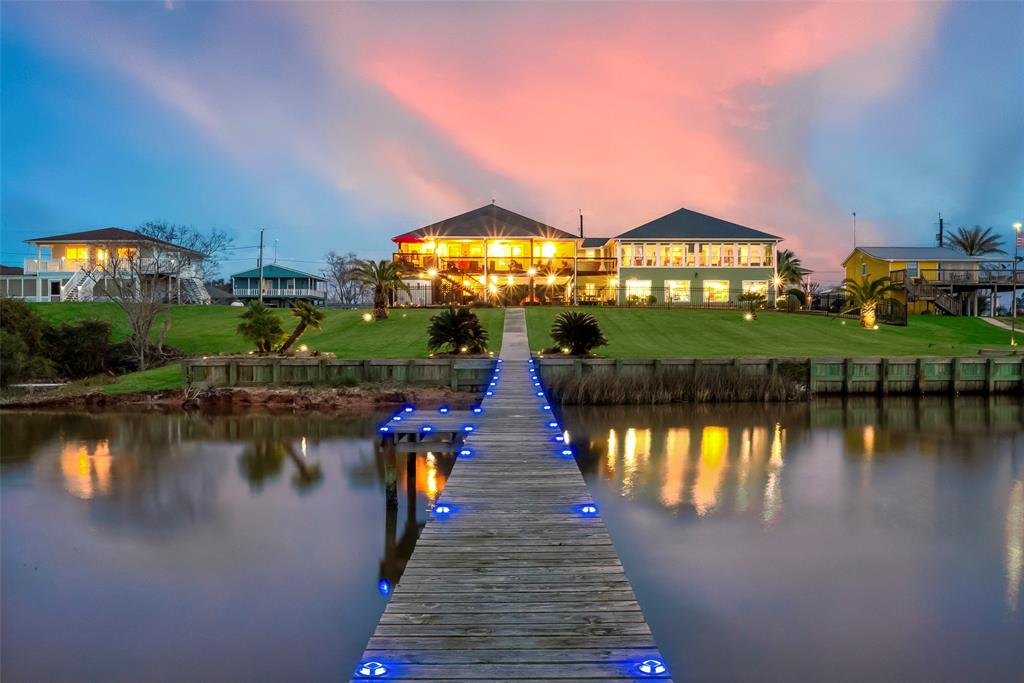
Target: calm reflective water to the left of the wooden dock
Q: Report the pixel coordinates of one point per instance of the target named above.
(176, 548)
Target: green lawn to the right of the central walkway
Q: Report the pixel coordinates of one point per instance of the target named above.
(653, 333)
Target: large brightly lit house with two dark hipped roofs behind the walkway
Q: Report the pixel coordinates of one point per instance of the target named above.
(496, 255)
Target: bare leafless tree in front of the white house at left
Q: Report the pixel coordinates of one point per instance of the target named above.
(143, 279)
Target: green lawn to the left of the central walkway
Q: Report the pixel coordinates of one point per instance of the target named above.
(210, 330)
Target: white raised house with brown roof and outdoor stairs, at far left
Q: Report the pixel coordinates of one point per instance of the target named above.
(79, 267)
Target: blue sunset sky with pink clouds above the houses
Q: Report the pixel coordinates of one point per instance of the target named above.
(336, 126)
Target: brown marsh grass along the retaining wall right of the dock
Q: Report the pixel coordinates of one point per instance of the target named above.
(702, 386)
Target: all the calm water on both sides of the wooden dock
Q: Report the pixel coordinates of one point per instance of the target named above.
(815, 542)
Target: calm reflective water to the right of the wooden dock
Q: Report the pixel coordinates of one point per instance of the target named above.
(860, 542)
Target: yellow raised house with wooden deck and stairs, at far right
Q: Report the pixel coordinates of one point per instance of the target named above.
(929, 279)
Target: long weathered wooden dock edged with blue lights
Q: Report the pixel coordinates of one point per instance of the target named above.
(515, 576)
